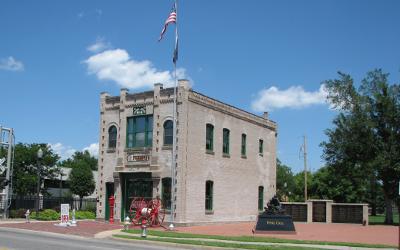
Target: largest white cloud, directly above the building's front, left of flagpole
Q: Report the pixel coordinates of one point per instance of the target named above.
(116, 65)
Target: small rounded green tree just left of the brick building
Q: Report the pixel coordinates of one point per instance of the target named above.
(81, 180)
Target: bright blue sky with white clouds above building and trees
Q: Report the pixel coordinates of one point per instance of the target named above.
(57, 56)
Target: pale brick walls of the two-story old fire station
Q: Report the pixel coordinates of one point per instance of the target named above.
(236, 178)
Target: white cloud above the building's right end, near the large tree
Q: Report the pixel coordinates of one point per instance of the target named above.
(293, 97)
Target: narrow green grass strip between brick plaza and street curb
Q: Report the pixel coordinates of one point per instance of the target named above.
(168, 236)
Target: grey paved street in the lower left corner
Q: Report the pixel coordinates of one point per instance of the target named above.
(21, 240)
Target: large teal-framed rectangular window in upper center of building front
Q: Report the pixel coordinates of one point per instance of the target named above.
(140, 131)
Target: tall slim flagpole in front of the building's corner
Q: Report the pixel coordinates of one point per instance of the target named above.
(173, 164)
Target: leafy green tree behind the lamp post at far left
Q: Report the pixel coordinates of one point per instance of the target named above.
(24, 178)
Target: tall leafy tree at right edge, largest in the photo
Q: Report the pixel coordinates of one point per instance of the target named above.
(363, 146)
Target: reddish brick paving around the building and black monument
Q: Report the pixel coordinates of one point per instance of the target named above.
(387, 235)
